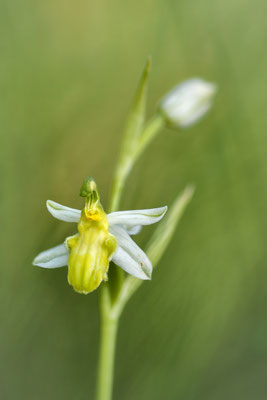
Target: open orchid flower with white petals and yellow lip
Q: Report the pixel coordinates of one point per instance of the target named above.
(101, 238)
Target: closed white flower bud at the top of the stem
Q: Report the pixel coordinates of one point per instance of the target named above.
(187, 102)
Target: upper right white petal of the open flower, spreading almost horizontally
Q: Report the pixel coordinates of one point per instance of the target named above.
(132, 219)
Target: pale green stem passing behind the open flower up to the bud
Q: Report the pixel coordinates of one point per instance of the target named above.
(110, 313)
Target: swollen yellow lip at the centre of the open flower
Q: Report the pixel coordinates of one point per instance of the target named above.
(91, 249)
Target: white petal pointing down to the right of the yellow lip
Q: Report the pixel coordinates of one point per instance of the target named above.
(129, 256)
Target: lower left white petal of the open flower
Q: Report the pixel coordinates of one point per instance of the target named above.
(53, 258)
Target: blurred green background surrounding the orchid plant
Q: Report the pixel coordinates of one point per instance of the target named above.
(68, 73)
